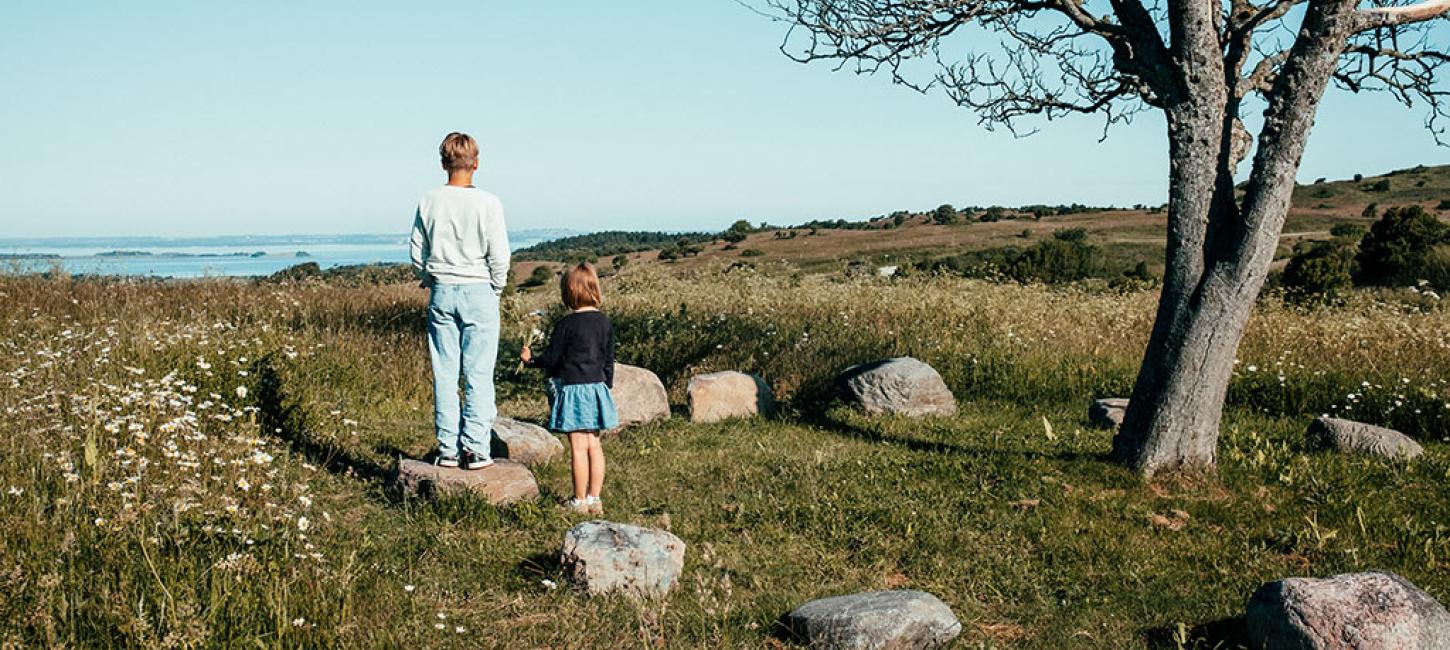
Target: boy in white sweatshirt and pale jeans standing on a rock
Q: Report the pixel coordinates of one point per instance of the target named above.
(460, 250)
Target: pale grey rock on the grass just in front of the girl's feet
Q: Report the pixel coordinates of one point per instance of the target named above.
(620, 558)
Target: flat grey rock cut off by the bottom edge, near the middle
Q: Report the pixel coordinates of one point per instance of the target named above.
(875, 620)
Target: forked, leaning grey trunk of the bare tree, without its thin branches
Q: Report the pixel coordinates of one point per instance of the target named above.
(1214, 279)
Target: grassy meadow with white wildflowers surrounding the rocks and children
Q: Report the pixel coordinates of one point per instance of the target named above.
(202, 464)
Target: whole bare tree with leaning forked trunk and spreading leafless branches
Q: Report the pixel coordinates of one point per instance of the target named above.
(1204, 65)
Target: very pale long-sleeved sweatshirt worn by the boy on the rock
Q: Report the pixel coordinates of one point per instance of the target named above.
(460, 239)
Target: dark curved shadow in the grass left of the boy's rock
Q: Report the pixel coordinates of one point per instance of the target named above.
(282, 417)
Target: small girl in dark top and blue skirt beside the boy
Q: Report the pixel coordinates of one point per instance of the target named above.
(581, 365)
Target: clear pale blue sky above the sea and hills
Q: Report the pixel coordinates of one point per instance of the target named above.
(185, 120)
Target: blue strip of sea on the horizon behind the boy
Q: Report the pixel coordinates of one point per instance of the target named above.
(215, 256)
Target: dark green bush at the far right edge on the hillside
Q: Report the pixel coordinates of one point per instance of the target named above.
(1396, 250)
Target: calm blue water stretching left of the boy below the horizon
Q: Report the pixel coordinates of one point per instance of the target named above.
(218, 260)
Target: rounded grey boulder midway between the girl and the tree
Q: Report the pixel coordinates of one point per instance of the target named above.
(903, 387)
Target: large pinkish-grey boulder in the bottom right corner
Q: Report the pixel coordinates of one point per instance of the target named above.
(1365, 612)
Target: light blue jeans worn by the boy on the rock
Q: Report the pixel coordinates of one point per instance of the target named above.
(463, 339)
